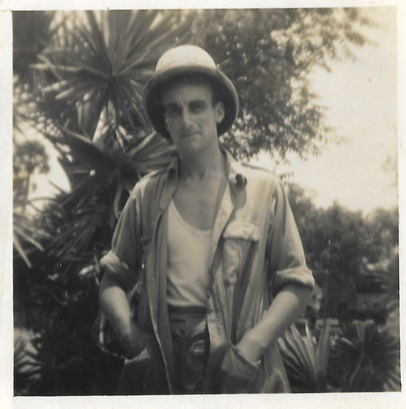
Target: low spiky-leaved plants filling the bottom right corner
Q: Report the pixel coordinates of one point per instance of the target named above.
(362, 357)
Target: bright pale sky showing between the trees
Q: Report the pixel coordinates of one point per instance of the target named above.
(360, 97)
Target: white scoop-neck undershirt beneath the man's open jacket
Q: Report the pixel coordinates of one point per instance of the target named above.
(188, 262)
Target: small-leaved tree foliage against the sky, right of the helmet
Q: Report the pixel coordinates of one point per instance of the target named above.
(268, 55)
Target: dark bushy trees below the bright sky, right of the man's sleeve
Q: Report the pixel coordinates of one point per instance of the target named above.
(342, 245)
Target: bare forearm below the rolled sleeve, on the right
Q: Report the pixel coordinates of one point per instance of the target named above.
(287, 305)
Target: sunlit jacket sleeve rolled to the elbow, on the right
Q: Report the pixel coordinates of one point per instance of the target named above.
(286, 257)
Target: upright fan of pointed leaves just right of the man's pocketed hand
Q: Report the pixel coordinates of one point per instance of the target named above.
(305, 361)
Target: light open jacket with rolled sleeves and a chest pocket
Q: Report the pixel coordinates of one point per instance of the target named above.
(255, 250)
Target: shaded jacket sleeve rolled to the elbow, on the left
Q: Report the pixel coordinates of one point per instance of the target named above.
(123, 261)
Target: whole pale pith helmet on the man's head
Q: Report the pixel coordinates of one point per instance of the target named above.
(179, 62)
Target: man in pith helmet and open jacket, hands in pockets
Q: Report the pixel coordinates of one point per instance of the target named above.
(212, 246)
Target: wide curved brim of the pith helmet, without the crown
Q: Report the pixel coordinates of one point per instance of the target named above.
(225, 88)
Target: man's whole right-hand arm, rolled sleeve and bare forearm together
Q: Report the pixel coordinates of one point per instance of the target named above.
(291, 280)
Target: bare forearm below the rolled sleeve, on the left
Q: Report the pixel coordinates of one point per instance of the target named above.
(115, 305)
